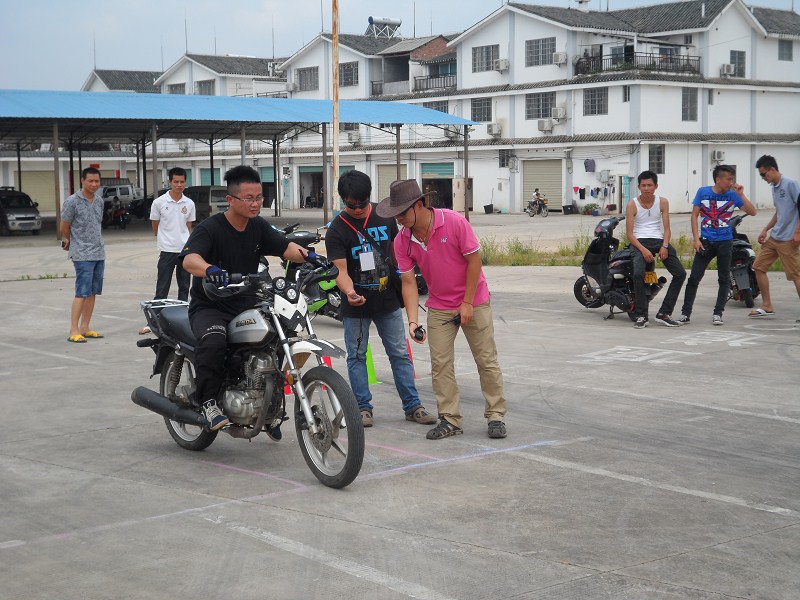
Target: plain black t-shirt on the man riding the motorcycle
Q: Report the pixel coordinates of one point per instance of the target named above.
(220, 244)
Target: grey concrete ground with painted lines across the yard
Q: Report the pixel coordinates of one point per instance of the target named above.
(652, 464)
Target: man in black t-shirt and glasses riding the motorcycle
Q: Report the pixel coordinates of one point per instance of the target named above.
(229, 242)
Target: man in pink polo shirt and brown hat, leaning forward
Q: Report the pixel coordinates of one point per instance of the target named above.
(443, 245)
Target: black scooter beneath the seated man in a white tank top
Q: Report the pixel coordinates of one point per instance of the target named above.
(608, 273)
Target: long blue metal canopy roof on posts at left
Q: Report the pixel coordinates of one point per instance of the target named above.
(29, 115)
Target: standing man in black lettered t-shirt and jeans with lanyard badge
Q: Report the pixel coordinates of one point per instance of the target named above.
(359, 242)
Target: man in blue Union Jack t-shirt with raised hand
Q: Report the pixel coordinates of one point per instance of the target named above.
(713, 207)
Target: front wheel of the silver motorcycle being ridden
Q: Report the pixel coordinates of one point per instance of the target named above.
(335, 454)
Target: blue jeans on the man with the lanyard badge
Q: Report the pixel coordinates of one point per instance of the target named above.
(392, 331)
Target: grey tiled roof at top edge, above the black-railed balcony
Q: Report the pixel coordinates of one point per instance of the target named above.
(672, 16)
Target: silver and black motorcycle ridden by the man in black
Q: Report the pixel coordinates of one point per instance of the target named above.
(269, 346)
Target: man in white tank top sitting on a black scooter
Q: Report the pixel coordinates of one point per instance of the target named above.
(647, 225)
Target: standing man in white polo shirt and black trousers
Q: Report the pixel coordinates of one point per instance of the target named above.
(172, 216)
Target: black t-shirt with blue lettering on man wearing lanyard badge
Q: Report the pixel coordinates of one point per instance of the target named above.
(342, 242)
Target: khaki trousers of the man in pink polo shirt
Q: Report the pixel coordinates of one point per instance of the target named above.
(480, 337)
